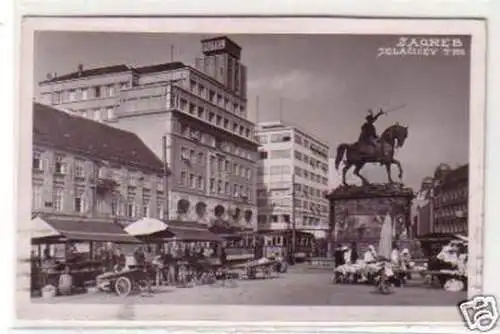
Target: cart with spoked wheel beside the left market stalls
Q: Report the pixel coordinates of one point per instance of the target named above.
(122, 282)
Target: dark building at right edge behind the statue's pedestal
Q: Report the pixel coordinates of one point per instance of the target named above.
(447, 195)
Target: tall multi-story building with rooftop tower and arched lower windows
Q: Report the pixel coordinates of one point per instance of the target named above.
(210, 144)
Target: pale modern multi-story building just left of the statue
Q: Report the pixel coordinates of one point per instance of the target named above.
(290, 156)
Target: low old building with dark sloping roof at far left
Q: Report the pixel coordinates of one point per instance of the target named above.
(88, 170)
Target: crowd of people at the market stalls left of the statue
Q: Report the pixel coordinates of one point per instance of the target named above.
(170, 263)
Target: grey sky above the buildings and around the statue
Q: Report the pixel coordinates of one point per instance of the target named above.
(326, 84)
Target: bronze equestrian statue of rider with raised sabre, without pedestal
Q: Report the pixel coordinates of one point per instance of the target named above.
(372, 149)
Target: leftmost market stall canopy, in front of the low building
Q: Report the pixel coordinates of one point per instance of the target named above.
(61, 230)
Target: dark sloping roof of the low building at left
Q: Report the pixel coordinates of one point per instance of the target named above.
(64, 131)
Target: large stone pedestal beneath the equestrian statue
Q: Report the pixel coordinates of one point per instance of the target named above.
(357, 213)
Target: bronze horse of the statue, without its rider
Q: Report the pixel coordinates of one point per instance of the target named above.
(358, 154)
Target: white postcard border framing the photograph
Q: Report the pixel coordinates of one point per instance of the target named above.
(148, 313)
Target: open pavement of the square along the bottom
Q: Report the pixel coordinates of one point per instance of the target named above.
(312, 288)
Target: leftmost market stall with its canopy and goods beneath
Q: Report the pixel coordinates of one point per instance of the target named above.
(67, 248)
